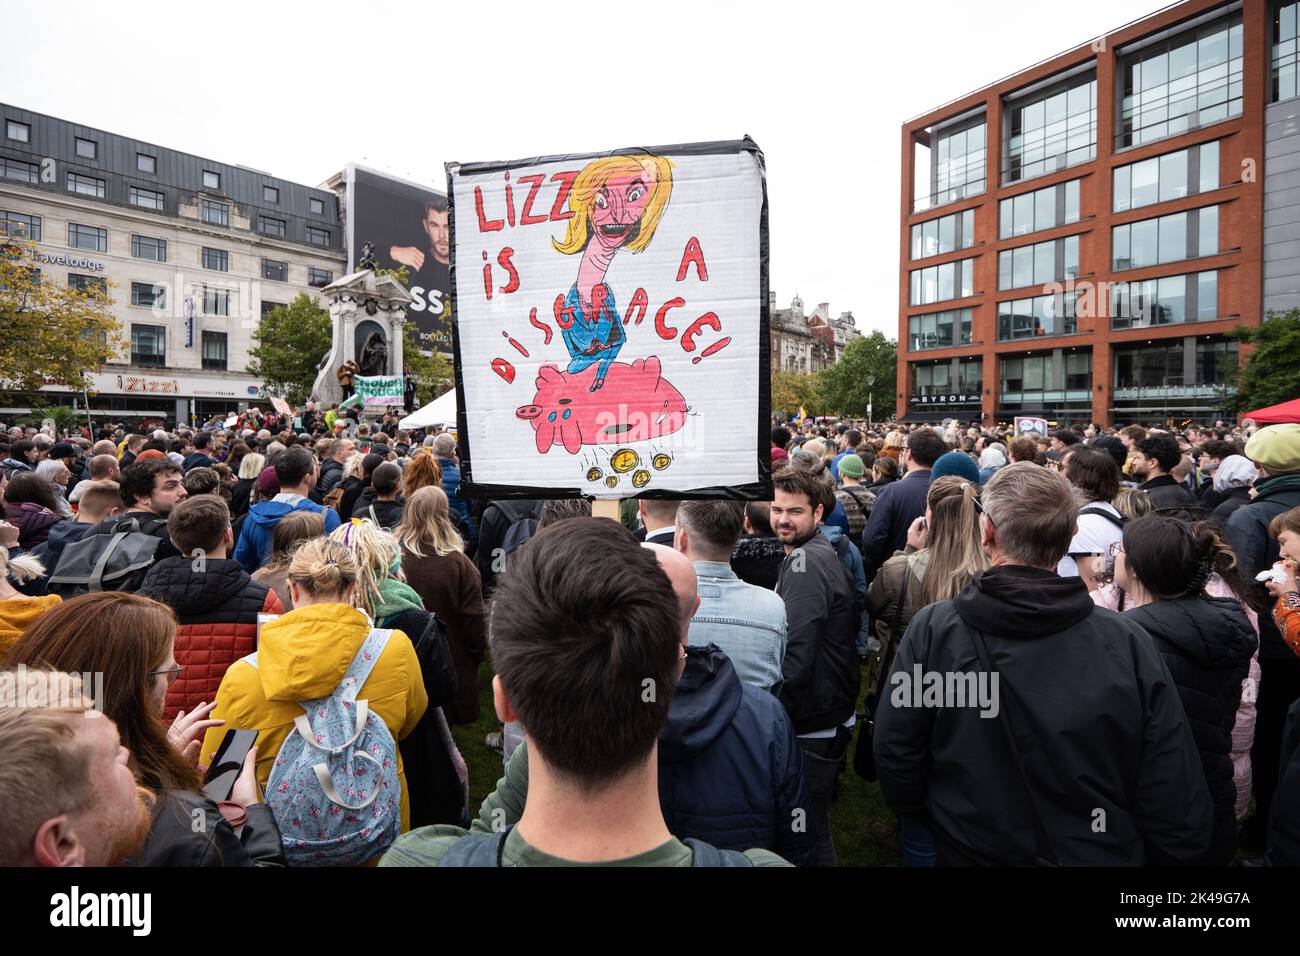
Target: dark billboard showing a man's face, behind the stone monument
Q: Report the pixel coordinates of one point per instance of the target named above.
(409, 227)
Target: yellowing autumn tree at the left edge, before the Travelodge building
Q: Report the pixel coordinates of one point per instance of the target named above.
(50, 332)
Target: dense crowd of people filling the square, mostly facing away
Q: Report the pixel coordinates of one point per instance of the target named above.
(1080, 648)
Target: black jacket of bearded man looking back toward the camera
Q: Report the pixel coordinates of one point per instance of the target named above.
(822, 672)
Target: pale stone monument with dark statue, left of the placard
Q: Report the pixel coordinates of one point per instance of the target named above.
(369, 314)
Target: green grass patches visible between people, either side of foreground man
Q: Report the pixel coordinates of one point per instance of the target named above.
(859, 804)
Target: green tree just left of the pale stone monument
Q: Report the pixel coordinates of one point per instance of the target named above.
(289, 345)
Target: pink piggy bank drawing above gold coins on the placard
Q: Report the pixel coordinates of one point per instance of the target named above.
(635, 404)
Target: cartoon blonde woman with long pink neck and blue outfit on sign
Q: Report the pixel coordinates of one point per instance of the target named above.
(617, 204)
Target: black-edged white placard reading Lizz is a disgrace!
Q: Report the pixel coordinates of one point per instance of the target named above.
(612, 328)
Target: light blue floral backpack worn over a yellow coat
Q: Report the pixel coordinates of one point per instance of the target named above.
(335, 785)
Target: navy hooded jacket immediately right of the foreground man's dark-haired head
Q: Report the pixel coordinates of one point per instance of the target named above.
(731, 772)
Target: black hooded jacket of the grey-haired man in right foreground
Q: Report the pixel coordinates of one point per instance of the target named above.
(1098, 723)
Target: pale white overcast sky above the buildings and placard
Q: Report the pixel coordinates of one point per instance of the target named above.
(300, 90)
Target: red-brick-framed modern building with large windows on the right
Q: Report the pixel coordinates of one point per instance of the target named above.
(1078, 239)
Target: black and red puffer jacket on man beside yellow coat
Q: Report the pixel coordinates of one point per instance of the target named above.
(218, 604)
